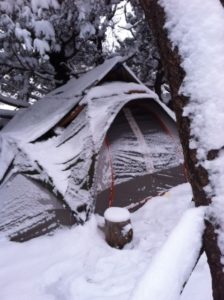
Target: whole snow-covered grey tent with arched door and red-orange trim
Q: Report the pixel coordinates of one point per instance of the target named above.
(103, 139)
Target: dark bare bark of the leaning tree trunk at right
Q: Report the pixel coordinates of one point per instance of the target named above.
(198, 176)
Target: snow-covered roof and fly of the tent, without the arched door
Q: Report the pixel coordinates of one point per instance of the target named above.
(65, 159)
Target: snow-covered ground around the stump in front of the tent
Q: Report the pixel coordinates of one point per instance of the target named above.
(77, 263)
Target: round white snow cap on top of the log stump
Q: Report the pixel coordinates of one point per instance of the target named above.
(117, 214)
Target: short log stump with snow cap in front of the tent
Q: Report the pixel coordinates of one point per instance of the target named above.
(118, 229)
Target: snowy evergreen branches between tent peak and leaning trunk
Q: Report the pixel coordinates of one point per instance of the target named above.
(141, 47)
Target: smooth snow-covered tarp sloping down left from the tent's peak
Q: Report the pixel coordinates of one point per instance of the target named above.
(29, 124)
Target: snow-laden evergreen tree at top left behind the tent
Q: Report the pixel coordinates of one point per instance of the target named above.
(44, 42)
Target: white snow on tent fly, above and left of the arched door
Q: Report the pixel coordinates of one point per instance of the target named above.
(85, 134)
